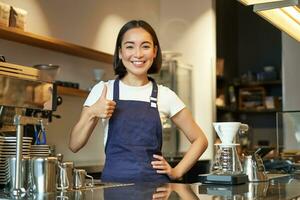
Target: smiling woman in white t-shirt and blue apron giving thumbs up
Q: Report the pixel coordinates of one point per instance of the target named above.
(132, 106)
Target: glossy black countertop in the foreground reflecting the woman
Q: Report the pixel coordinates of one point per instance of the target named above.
(287, 187)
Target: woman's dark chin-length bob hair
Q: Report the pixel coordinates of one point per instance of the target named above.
(119, 68)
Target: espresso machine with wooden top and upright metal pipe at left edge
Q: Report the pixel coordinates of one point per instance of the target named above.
(24, 89)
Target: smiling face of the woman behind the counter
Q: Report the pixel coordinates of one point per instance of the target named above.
(137, 51)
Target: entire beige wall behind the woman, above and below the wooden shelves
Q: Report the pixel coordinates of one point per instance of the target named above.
(95, 24)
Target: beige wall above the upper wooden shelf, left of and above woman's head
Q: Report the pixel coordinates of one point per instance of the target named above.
(92, 23)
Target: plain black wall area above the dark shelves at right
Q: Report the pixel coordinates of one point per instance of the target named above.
(259, 42)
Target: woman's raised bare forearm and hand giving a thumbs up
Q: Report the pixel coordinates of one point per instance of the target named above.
(103, 108)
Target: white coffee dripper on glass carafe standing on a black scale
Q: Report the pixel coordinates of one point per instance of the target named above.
(226, 168)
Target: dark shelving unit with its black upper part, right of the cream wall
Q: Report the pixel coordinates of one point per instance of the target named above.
(248, 45)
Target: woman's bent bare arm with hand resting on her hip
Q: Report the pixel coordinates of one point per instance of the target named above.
(199, 143)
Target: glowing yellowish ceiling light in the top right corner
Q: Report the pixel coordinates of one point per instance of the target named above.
(285, 15)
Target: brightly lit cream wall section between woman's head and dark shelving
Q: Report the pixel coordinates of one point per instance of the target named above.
(193, 34)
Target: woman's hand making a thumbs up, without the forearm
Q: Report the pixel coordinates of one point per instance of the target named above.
(103, 107)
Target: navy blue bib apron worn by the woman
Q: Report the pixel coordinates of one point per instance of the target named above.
(134, 135)
